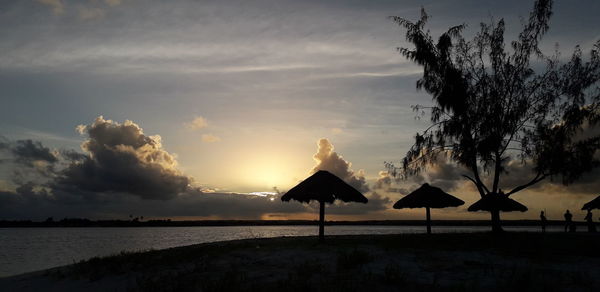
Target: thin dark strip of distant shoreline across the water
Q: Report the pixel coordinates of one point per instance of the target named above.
(78, 222)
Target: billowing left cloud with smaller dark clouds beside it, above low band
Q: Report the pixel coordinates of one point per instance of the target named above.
(118, 158)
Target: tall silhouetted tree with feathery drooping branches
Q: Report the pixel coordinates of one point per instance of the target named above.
(493, 104)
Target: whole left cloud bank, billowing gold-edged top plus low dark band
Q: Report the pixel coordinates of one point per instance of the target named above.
(120, 171)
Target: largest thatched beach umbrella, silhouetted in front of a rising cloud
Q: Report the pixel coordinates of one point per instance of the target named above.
(323, 187)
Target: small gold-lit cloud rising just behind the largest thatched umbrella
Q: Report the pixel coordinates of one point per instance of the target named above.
(329, 160)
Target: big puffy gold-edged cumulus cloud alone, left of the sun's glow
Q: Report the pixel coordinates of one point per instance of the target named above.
(121, 158)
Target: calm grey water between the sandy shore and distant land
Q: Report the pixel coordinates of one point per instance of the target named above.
(31, 249)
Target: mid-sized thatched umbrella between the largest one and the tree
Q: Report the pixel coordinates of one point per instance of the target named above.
(428, 197)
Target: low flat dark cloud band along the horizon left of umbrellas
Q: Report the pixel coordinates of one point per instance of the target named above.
(25, 203)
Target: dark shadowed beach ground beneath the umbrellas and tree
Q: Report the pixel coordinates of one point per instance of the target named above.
(415, 262)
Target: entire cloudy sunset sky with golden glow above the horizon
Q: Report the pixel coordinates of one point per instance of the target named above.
(208, 109)
